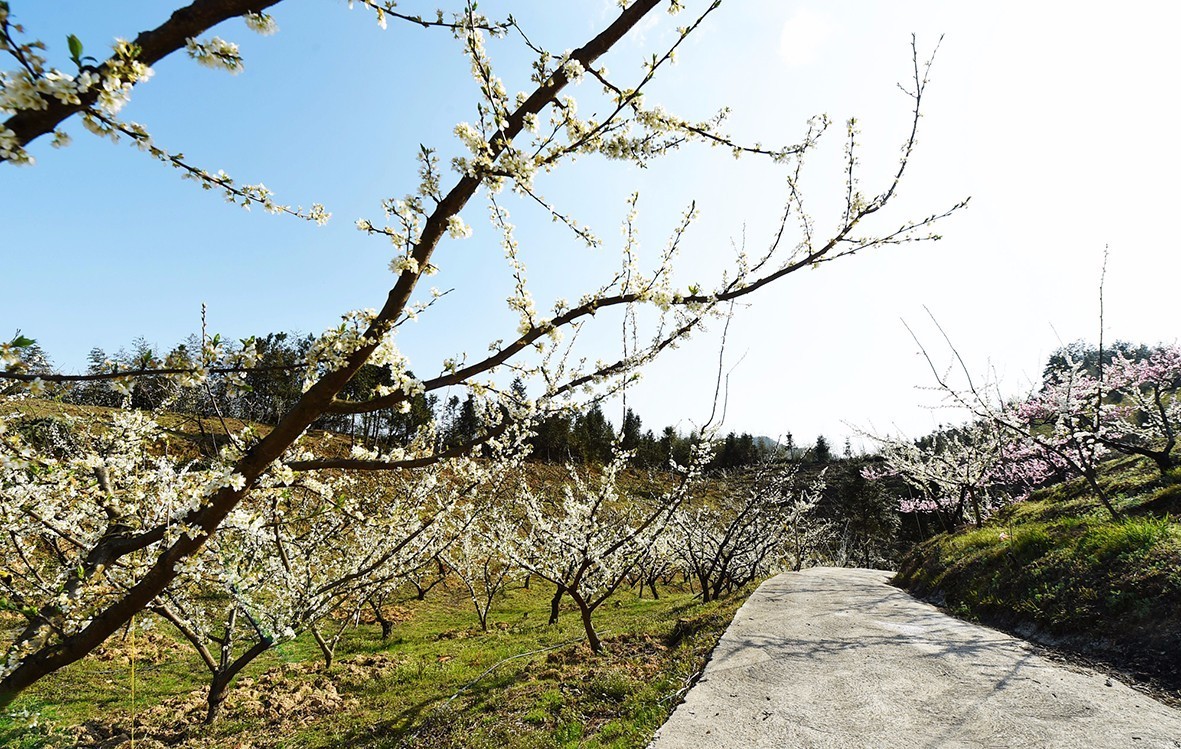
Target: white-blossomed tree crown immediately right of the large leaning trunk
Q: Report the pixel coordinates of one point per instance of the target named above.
(301, 550)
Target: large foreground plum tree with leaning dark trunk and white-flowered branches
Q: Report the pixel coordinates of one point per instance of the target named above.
(513, 141)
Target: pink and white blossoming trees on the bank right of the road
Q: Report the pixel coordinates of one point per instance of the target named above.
(1093, 405)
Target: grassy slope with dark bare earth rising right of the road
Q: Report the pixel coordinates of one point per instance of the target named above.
(1059, 569)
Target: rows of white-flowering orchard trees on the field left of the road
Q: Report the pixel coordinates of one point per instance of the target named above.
(311, 552)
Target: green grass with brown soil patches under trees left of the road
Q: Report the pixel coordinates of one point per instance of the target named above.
(439, 682)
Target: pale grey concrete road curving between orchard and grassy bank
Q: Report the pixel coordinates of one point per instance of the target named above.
(837, 659)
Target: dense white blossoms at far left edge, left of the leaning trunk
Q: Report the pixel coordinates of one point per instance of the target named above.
(110, 481)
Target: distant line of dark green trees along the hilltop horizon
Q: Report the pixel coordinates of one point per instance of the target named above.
(275, 385)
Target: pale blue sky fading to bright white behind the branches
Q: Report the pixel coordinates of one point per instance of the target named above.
(1055, 118)
